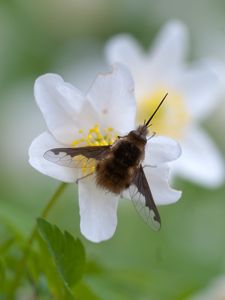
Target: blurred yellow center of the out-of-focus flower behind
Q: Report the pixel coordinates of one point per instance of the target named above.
(172, 117)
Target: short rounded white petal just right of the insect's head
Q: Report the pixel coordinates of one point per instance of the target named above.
(161, 149)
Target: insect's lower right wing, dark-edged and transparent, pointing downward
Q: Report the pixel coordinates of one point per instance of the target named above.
(143, 201)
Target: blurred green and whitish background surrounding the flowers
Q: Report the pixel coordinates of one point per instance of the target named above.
(67, 37)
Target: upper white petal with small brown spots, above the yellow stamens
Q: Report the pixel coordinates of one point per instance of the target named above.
(112, 96)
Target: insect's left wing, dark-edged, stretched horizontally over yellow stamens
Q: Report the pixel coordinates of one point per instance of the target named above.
(80, 157)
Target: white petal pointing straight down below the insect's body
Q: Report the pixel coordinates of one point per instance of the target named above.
(98, 211)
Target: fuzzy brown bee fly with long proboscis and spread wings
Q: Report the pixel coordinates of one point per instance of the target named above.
(118, 167)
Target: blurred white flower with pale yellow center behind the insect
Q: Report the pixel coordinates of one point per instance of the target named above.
(192, 97)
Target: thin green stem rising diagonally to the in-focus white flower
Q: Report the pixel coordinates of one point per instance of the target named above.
(22, 262)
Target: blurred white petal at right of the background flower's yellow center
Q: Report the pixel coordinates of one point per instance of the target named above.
(200, 87)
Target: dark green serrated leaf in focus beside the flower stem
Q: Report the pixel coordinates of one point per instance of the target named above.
(68, 253)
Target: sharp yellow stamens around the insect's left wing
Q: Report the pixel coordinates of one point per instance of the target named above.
(93, 137)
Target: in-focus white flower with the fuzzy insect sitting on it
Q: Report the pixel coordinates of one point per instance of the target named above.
(107, 110)
